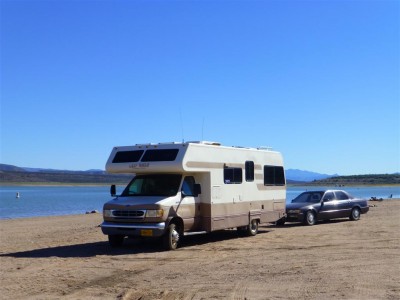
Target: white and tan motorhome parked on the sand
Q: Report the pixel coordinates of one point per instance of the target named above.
(193, 187)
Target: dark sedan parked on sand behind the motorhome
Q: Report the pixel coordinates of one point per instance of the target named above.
(312, 206)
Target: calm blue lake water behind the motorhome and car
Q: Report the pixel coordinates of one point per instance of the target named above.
(64, 200)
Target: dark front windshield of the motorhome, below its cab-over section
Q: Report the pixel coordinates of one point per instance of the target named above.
(153, 185)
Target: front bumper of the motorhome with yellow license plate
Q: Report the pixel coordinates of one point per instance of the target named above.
(133, 229)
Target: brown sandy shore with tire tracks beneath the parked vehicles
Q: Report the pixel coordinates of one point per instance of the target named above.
(68, 257)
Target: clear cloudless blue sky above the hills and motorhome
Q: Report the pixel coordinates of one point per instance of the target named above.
(318, 81)
